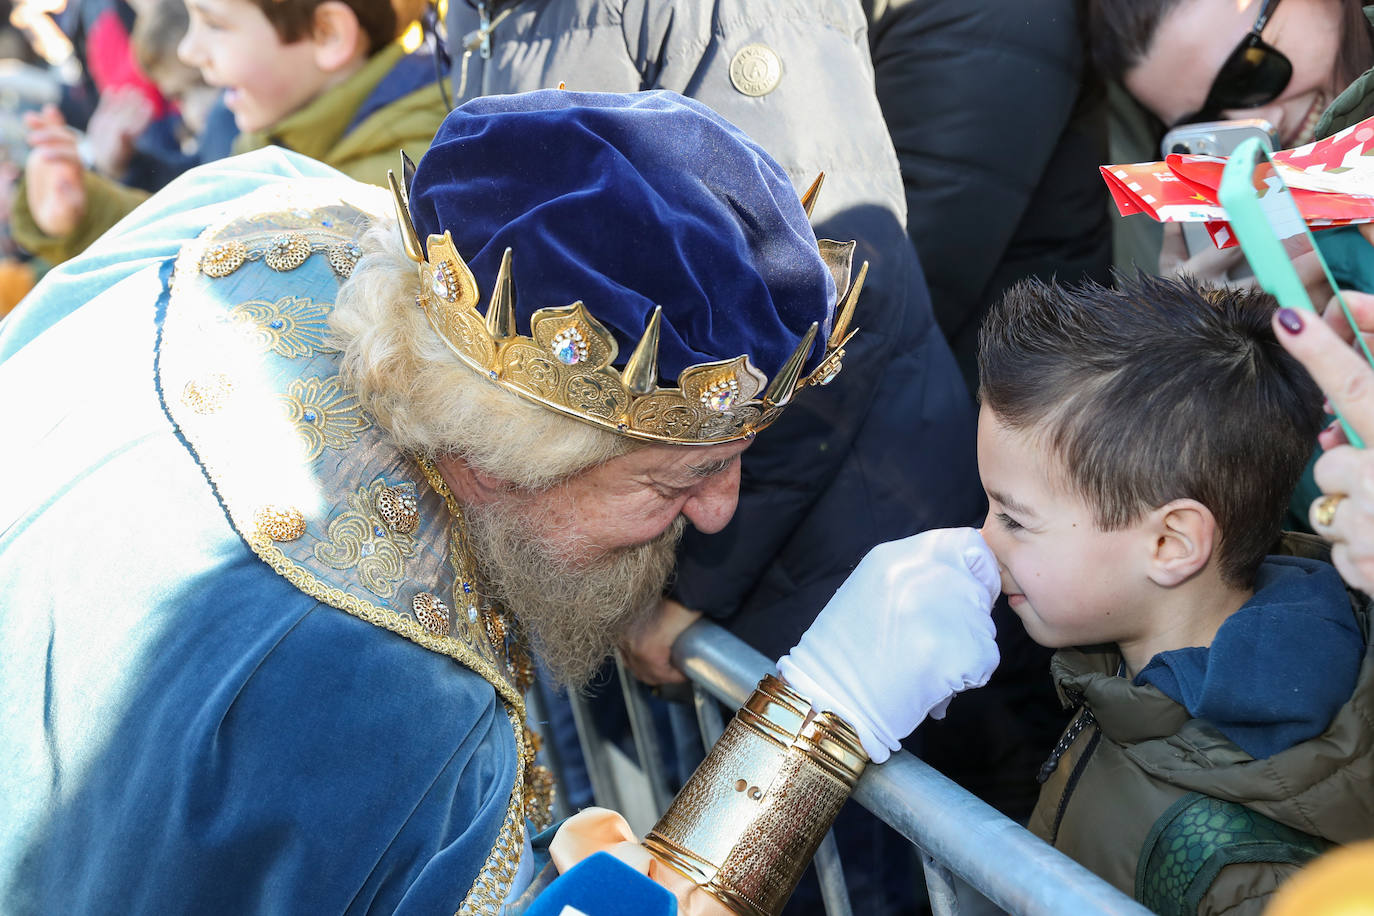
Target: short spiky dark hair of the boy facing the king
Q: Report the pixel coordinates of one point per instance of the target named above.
(1158, 391)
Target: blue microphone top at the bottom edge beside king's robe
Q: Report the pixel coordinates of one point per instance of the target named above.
(602, 885)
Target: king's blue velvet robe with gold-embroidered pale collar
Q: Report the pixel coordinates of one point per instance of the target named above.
(197, 718)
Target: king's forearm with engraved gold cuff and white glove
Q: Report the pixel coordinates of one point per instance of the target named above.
(908, 631)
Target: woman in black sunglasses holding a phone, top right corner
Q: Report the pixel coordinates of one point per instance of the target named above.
(1302, 65)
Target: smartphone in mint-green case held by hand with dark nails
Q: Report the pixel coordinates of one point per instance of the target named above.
(1269, 225)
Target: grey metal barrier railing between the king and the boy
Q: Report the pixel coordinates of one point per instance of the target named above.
(958, 837)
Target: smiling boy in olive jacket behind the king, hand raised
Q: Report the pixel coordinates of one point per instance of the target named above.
(337, 80)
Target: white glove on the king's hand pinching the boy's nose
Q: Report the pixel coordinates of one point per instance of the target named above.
(909, 630)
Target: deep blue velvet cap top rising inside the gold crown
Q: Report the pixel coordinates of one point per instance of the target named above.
(629, 203)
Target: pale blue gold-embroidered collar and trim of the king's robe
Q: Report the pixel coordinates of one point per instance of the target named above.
(251, 381)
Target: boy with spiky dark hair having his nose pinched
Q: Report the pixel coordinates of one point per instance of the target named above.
(1138, 448)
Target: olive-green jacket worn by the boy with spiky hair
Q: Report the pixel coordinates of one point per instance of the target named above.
(1131, 753)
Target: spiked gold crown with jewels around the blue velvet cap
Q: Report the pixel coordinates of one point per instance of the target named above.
(567, 362)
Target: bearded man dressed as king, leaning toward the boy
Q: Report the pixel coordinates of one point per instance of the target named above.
(303, 477)
